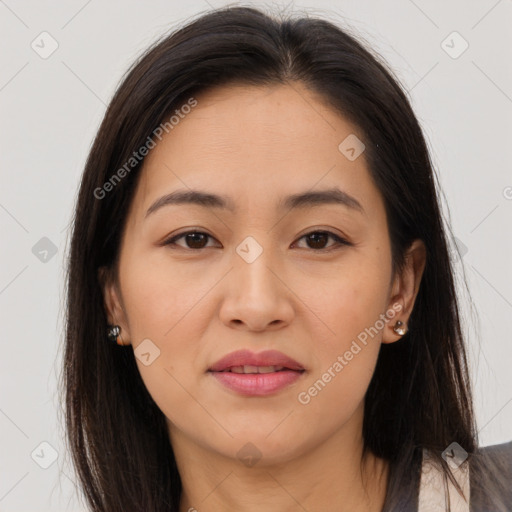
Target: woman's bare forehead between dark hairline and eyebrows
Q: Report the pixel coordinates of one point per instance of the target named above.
(248, 142)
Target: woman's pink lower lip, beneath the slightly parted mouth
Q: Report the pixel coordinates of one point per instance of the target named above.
(257, 384)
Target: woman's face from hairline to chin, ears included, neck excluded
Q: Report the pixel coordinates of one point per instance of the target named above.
(254, 277)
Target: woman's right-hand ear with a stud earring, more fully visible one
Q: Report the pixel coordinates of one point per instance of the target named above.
(405, 290)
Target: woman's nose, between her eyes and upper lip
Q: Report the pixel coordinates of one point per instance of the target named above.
(257, 297)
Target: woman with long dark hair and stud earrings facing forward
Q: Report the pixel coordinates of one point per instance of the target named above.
(261, 308)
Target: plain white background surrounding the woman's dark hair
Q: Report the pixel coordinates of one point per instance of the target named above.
(51, 109)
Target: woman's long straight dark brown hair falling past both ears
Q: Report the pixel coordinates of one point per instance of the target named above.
(420, 394)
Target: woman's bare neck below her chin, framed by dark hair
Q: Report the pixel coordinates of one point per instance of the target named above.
(329, 476)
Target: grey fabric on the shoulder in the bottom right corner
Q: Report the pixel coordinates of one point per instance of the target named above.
(491, 477)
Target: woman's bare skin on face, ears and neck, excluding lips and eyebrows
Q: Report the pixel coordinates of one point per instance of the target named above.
(256, 145)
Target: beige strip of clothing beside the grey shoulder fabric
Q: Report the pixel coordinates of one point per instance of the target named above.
(432, 488)
